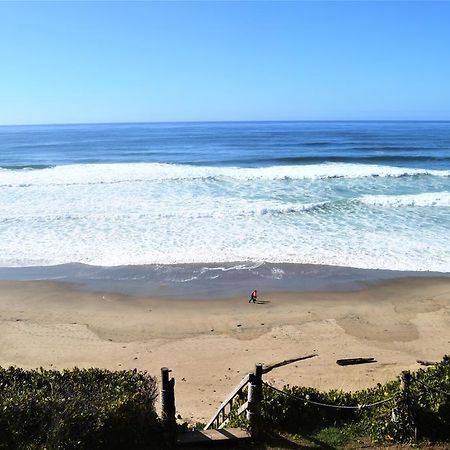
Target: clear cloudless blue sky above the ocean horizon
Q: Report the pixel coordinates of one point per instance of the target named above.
(108, 62)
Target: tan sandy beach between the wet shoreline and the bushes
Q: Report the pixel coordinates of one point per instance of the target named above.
(211, 344)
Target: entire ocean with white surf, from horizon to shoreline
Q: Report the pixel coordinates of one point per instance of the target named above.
(195, 201)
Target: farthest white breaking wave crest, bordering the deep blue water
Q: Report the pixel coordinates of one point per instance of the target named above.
(148, 172)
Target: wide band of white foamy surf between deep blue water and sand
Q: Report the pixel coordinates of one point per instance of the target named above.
(163, 214)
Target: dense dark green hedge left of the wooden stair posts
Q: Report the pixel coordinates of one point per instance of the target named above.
(78, 408)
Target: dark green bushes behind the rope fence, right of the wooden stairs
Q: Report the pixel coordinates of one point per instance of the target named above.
(422, 412)
